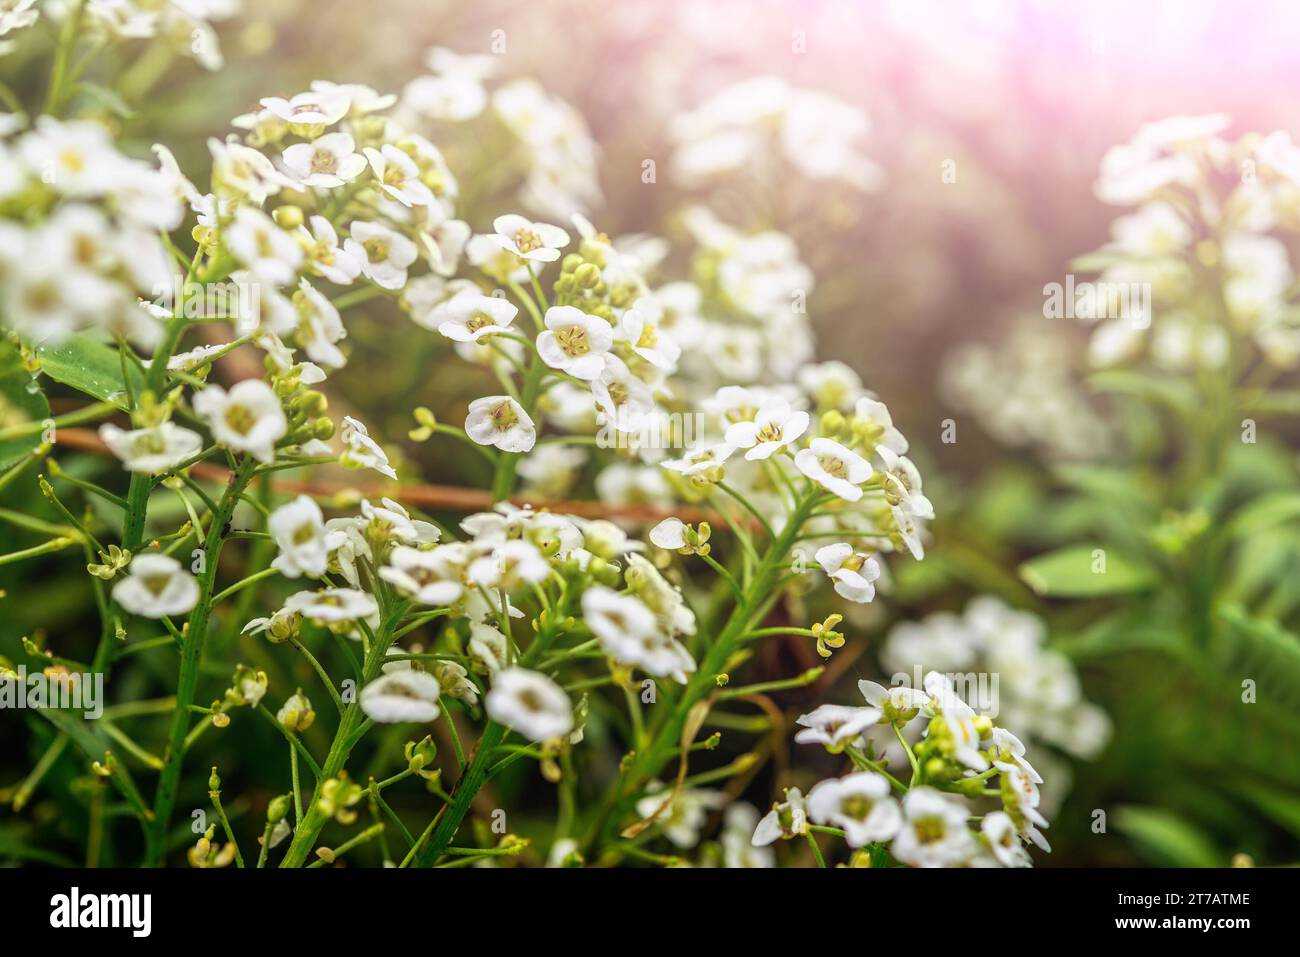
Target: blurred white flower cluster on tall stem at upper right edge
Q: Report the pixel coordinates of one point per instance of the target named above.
(1207, 239)
